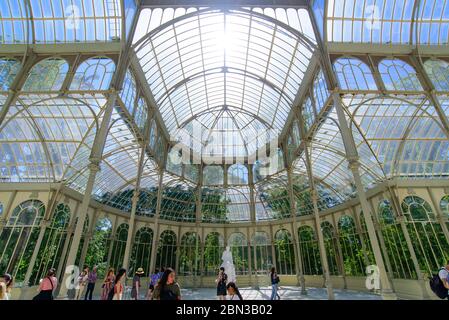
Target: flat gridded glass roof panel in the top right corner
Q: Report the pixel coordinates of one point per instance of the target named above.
(388, 21)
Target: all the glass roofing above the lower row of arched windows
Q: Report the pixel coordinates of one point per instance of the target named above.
(224, 82)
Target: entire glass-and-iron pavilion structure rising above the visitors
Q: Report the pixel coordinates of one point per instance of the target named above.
(311, 136)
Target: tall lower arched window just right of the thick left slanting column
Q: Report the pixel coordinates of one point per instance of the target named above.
(98, 249)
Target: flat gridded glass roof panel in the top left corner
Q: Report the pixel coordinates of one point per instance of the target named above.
(60, 21)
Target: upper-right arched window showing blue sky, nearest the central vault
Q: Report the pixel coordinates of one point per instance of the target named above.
(353, 74)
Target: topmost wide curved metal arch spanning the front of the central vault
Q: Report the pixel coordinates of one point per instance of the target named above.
(303, 39)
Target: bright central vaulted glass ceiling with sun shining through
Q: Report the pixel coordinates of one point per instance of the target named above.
(223, 76)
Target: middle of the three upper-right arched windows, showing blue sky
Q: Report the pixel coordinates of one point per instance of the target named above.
(399, 75)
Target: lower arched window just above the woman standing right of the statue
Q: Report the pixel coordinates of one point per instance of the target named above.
(285, 254)
